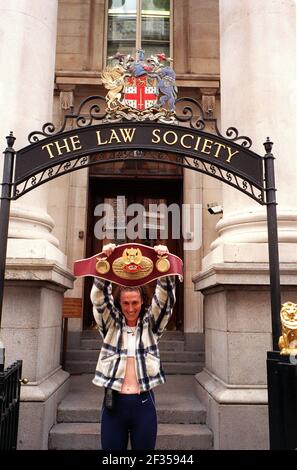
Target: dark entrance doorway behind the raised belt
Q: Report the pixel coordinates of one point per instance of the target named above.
(117, 208)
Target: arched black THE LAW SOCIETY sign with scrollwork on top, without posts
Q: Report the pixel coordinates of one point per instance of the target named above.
(182, 135)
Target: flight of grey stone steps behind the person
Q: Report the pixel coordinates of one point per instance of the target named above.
(181, 416)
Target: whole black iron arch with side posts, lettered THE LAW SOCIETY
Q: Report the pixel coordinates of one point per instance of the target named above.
(141, 136)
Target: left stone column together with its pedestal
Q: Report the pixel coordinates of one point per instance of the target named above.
(36, 275)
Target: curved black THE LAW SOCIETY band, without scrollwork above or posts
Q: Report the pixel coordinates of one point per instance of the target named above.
(196, 149)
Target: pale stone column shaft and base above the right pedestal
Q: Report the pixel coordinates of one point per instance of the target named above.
(266, 72)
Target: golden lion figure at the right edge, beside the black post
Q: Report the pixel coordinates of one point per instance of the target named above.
(288, 341)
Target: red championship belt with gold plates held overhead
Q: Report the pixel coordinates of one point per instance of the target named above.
(130, 264)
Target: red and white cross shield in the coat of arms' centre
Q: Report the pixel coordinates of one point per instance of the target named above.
(140, 92)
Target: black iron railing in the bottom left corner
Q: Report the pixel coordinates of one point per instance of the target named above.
(10, 387)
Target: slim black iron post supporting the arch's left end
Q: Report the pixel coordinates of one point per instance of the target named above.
(9, 154)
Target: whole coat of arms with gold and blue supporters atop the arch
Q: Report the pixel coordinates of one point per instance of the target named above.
(141, 86)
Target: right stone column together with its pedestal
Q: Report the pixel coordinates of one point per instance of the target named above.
(258, 86)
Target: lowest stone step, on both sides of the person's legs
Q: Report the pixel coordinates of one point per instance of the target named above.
(86, 436)
